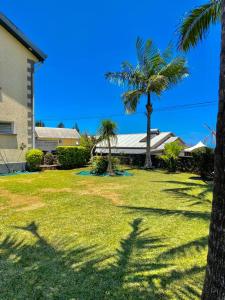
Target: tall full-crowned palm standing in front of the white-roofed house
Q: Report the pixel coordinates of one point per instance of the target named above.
(154, 73)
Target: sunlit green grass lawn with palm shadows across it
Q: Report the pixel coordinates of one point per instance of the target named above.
(64, 236)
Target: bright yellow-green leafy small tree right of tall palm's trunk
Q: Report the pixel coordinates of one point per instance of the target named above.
(171, 155)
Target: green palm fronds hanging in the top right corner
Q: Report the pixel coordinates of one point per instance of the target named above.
(196, 24)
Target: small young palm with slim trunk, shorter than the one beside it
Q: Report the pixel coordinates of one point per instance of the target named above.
(107, 131)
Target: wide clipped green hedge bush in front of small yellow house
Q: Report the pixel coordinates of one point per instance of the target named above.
(71, 157)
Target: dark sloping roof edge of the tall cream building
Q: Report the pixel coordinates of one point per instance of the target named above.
(14, 31)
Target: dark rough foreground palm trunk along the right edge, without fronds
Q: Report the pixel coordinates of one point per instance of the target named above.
(214, 285)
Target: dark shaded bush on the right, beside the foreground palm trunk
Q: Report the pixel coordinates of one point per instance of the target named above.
(203, 162)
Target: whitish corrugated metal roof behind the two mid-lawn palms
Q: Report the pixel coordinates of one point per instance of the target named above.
(135, 140)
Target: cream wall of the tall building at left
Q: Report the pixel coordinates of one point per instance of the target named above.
(13, 94)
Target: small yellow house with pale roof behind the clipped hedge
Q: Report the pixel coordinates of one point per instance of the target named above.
(47, 139)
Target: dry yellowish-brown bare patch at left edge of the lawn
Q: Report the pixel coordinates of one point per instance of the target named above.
(20, 202)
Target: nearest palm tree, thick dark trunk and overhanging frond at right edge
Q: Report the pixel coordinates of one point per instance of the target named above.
(193, 29)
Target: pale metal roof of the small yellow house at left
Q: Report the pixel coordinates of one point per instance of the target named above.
(56, 133)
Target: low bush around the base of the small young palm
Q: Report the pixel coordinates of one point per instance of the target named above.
(100, 164)
